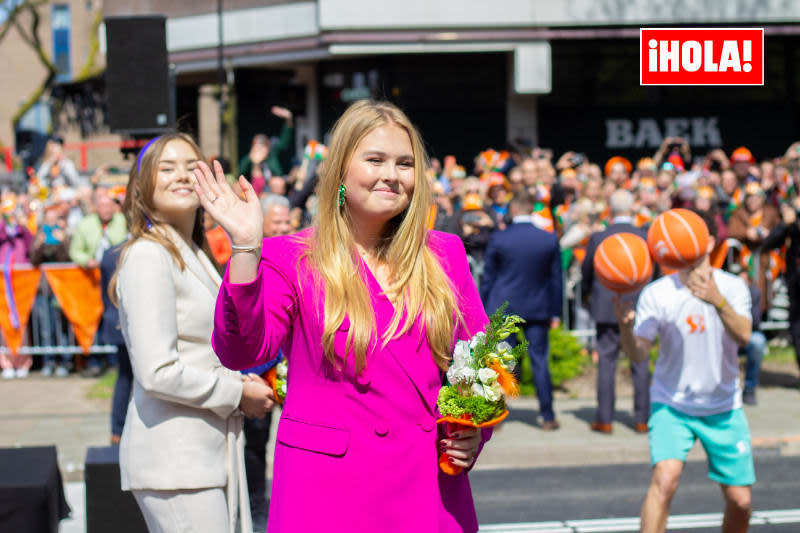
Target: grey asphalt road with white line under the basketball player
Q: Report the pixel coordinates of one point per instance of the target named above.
(550, 499)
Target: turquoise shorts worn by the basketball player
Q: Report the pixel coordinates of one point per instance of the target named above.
(724, 436)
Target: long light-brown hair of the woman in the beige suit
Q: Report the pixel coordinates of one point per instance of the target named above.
(140, 211)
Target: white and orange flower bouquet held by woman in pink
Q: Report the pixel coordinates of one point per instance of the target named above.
(480, 377)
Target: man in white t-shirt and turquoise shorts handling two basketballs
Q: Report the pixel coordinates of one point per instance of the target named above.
(700, 316)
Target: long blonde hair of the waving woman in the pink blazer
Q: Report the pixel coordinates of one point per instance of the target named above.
(415, 275)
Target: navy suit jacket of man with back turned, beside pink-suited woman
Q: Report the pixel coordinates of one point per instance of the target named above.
(523, 266)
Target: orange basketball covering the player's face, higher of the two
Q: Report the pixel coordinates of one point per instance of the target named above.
(678, 238)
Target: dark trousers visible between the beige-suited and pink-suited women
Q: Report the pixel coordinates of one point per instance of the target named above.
(256, 436)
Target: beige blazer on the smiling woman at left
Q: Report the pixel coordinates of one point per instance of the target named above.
(183, 428)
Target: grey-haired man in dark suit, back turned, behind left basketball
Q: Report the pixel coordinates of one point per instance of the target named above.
(601, 303)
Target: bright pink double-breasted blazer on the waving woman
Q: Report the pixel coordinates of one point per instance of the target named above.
(353, 452)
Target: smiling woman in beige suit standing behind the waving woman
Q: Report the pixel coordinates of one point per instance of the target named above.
(181, 452)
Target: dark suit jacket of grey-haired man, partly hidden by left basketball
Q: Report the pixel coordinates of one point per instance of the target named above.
(601, 300)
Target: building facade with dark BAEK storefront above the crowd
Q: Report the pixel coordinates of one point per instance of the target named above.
(474, 74)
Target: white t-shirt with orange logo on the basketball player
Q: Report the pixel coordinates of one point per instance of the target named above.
(697, 371)
